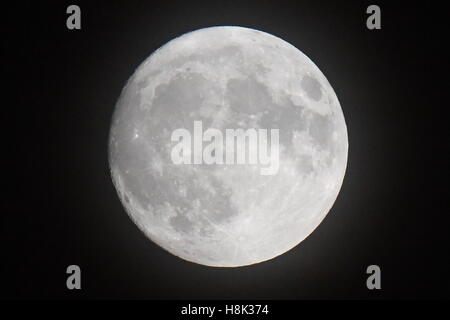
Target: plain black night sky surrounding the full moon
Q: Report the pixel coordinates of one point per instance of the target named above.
(60, 207)
